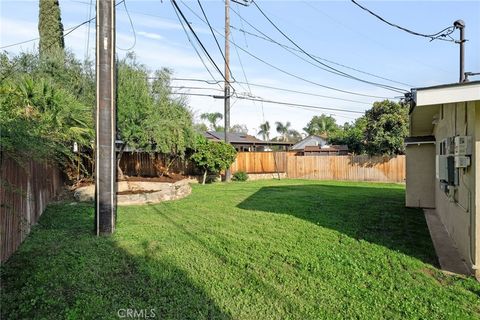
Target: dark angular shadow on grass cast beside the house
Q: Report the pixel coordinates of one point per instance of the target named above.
(374, 214)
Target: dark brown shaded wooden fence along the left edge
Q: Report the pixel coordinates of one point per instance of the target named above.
(25, 191)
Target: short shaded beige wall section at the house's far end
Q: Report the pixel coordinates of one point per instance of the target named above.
(420, 180)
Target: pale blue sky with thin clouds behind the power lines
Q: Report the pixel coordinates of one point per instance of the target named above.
(337, 33)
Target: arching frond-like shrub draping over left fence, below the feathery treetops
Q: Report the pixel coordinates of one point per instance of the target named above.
(42, 121)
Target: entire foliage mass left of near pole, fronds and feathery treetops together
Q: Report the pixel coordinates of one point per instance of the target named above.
(46, 106)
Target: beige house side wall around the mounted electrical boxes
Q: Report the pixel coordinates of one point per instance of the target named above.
(458, 210)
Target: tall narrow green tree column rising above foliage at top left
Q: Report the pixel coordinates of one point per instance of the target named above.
(50, 27)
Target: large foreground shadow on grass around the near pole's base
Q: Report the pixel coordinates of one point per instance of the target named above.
(64, 271)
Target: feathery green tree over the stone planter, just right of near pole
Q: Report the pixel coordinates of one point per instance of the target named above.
(148, 118)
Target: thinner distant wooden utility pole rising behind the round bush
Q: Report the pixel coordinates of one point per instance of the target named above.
(227, 80)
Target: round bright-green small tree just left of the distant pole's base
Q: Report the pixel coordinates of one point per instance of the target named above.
(212, 156)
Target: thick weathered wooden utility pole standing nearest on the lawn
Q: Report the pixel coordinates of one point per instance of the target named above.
(105, 155)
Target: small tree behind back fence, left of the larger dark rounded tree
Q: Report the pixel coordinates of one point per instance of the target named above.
(352, 135)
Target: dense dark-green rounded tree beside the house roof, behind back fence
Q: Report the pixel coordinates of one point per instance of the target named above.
(386, 128)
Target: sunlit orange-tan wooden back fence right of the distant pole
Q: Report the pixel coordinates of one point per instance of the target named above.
(355, 168)
